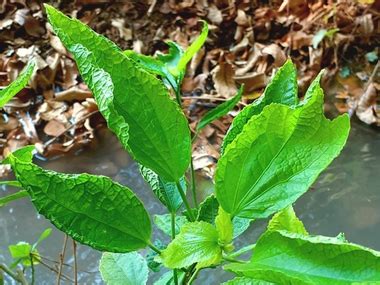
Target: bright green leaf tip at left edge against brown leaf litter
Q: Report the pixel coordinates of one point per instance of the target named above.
(16, 86)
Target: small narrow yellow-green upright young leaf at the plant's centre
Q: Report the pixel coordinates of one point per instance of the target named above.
(224, 227)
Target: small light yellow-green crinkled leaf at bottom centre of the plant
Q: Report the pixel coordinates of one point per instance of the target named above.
(196, 243)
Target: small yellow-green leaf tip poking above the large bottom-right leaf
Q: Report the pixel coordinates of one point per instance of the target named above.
(287, 220)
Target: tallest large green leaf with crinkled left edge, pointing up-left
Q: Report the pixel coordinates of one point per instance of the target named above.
(159, 137)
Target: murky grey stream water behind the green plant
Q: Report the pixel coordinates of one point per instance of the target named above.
(346, 198)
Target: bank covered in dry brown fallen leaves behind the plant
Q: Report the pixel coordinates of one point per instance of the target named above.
(248, 41)
